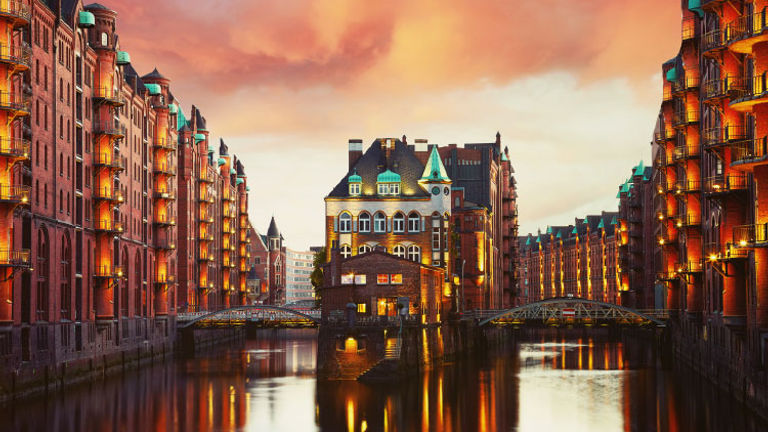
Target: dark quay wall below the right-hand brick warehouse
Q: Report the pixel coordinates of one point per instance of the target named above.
(724, 359)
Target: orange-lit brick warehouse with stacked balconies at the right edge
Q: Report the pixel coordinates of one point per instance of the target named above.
(709, 151)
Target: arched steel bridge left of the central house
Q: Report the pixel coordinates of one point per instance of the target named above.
(248, 313)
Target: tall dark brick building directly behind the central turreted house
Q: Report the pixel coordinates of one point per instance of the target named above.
(483, 175)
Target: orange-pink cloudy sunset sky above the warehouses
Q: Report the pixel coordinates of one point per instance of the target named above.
(573, 87)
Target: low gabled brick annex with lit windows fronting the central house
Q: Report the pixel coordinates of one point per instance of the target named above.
(377, 281)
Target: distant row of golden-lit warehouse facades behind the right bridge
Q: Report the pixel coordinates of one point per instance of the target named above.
(577, 260)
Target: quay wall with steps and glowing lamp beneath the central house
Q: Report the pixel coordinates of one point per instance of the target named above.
(371, 351)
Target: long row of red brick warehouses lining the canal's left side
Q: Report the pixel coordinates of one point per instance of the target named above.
(100, 166)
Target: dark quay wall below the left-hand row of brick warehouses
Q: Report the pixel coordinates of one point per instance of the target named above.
(47, 357)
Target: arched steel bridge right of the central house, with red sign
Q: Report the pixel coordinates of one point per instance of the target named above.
(576, 309)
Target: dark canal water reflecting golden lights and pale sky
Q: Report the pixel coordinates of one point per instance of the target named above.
(548, 384)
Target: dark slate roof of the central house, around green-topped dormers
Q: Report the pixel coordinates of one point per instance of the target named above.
(374, 161)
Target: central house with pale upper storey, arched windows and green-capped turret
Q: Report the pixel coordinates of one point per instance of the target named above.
(392, 202)
